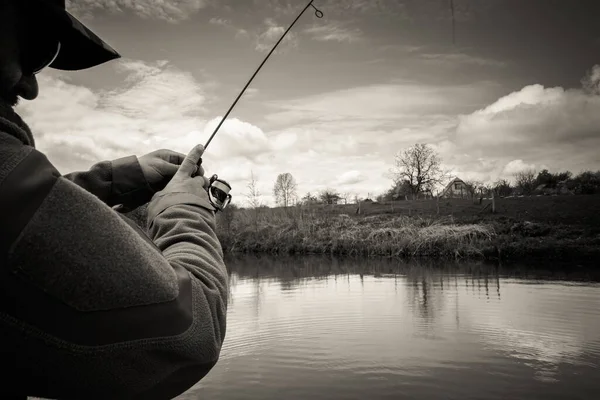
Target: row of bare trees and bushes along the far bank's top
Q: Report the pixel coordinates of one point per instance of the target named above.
(418, 172)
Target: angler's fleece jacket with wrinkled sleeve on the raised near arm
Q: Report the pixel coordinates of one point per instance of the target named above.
(91, 307)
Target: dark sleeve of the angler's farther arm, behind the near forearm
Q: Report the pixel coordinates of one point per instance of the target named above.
(120, 181)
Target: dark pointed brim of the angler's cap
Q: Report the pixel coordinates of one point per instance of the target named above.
(80, 47)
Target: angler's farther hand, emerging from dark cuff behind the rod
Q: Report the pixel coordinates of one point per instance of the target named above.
(160, 166)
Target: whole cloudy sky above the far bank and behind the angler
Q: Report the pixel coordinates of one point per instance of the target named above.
(518, 88)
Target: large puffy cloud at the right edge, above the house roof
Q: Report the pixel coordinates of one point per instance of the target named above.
(537, 124)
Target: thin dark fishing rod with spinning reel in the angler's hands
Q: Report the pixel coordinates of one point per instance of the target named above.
(218, 189)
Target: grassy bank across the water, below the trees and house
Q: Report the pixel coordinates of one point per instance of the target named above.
(544, 228)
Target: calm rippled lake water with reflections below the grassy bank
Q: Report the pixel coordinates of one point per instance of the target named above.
(319, 328)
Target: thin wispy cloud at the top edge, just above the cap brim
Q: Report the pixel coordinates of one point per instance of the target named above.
(169, 10)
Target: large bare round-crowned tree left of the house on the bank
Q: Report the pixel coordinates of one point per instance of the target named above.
(419, 168)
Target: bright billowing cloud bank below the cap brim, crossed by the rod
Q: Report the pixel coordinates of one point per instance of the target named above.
(160, 107)
